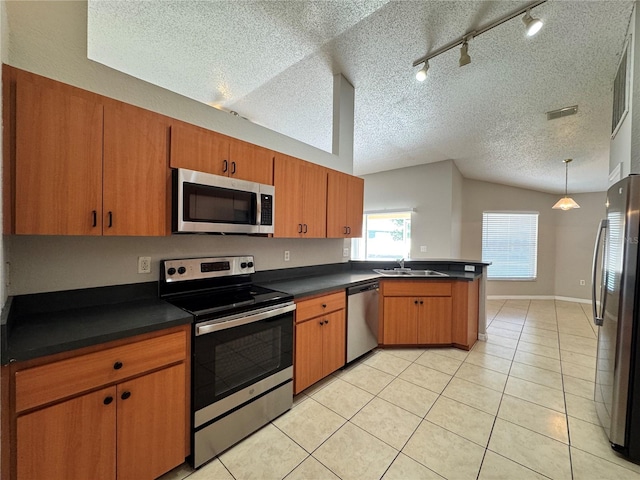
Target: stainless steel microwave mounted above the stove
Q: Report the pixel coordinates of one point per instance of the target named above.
(206, 203)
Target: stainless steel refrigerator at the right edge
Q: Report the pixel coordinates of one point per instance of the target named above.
(616, 311)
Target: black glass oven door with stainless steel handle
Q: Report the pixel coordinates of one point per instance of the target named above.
(240, 357)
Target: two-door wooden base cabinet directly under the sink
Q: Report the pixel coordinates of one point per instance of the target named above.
(417, 312)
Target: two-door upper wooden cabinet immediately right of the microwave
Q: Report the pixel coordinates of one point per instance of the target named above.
(301, 198)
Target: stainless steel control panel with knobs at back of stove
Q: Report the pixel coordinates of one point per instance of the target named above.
(201, 268)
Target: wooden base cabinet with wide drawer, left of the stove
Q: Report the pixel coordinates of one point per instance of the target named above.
(115, 412)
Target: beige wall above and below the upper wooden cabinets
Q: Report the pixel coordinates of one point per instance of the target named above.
(49, 38)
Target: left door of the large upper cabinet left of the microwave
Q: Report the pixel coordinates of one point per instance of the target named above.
(58, 160)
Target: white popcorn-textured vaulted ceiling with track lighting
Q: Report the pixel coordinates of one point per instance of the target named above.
(273, 62)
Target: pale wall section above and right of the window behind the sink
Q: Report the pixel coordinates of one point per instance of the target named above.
(428, 189)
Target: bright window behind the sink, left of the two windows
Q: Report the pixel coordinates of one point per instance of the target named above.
(386, 236)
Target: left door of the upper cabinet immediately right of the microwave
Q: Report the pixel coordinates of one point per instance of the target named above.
(287, 178)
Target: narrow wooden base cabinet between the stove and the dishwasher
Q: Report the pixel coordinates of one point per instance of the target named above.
(320, 338)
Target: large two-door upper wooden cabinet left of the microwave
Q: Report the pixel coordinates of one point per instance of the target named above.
(80, 164)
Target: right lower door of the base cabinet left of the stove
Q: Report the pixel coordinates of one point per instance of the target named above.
(151, 423)
